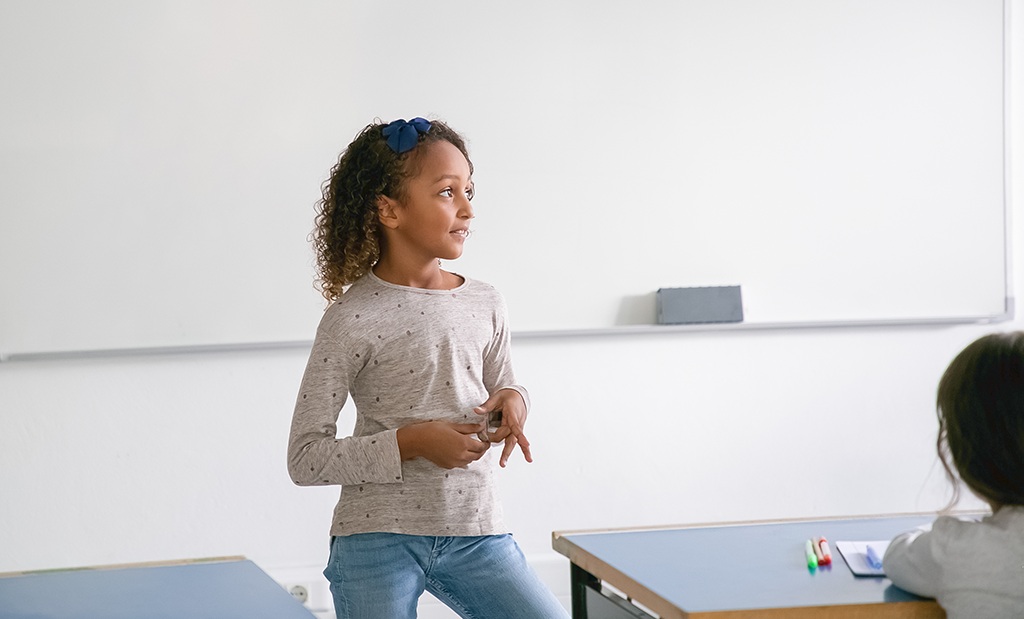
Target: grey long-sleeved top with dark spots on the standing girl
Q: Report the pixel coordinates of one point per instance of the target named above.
(405, 355)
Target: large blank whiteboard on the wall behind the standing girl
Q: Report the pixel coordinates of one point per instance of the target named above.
(839, 160)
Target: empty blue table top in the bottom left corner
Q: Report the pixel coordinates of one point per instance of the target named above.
(221, 590)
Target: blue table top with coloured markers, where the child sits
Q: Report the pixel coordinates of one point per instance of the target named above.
(739, 567)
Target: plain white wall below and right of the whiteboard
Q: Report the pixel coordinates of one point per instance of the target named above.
(149, 459)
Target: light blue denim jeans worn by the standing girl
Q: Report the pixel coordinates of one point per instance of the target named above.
(382, 576)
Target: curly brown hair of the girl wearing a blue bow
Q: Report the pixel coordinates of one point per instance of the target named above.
(347, 236)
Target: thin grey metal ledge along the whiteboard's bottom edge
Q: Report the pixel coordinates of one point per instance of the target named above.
(621, 331)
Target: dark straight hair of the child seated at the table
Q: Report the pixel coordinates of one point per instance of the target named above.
(982, 420)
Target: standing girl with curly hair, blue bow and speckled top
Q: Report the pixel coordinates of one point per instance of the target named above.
(425, 356)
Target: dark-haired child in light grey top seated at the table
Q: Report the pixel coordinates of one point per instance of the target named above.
(975, 569)
